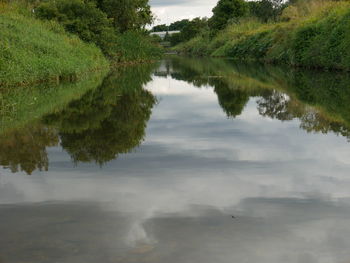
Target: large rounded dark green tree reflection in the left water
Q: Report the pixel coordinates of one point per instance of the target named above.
(108, 121)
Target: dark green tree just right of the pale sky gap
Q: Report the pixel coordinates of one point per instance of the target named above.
(226, 10)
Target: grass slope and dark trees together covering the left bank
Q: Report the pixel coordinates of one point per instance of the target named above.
(60, 39)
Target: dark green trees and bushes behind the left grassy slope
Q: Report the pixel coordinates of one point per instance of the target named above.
(116, 26)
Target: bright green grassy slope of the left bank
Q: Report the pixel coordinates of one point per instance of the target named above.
(34, 51)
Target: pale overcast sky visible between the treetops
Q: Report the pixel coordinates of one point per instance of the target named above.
(168, 11)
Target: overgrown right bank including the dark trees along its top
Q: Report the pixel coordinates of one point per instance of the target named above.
(307, 33)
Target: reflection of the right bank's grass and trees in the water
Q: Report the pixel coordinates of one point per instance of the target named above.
(328, 91)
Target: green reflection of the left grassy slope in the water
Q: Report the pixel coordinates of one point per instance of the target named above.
(21, 105)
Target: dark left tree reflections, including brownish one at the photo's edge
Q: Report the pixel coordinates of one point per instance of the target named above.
(105, 122)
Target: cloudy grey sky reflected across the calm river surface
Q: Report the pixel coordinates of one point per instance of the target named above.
(172, 198)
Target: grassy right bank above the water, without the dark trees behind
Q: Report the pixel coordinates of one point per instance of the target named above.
(314, 34)
